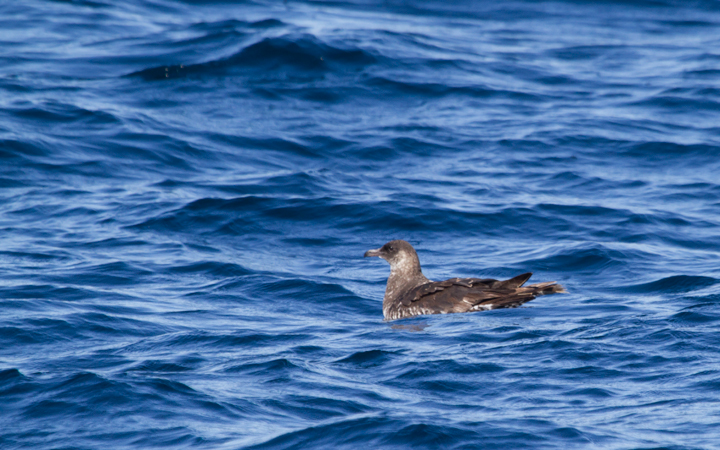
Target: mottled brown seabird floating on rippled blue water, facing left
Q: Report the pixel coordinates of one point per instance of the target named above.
(409, 293)
